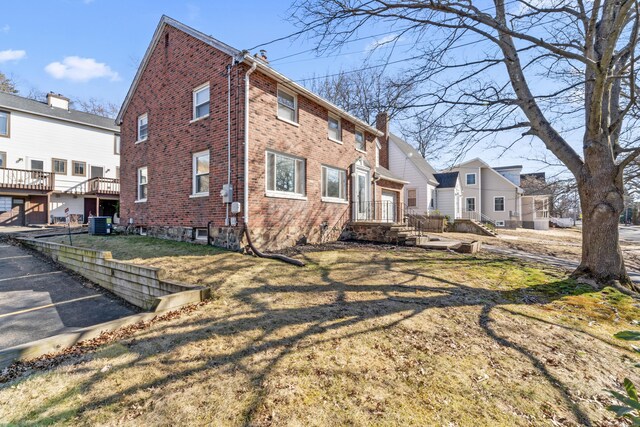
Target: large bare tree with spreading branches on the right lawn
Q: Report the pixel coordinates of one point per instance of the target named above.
(550, 68)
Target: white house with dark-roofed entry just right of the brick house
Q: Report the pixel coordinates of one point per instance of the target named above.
(425, 192)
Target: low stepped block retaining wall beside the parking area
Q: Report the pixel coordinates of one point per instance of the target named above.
(140, 285)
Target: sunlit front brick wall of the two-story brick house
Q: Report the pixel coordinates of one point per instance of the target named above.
(280, 222)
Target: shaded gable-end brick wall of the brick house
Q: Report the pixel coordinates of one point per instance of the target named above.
(165, 92)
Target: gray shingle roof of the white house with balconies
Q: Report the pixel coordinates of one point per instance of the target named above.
(10, 102)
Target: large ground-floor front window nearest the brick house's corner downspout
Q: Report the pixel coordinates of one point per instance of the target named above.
(285, 175)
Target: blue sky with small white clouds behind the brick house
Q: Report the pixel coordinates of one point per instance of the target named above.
(91, 48)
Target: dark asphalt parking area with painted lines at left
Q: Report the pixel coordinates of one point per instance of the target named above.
(37, 300)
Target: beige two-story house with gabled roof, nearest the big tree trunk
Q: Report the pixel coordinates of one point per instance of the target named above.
(491, 194)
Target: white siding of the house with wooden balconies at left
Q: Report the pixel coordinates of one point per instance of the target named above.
(41, 138)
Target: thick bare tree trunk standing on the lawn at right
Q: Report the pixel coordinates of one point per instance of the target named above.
(601, 198)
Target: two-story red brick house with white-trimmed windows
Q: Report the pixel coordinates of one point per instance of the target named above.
(213, 138)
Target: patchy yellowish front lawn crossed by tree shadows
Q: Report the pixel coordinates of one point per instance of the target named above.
(363, 336)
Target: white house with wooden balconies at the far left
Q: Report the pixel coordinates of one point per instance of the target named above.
(55, 161)
